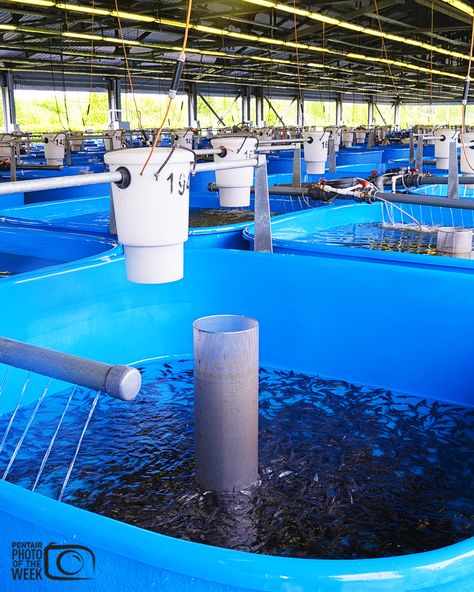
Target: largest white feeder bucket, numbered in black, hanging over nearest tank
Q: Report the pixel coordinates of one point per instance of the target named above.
(152, 212)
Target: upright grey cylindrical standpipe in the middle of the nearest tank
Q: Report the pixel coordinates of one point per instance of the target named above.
(226, 402)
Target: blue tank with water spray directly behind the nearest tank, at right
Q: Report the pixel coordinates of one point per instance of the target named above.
(369, 231)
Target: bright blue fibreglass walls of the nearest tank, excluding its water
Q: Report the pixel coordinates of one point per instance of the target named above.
(324, 318)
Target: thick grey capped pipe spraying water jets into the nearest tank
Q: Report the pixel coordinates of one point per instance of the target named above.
(120, 382)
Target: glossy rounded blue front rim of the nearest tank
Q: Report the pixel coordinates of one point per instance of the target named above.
(230, 567)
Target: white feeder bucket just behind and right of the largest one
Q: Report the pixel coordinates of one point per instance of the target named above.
(234, 184)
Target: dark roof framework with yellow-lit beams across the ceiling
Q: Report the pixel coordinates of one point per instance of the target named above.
(407, 50)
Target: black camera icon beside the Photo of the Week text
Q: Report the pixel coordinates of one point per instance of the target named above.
(68, 562)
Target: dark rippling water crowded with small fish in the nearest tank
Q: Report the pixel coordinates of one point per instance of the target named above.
(346, 471)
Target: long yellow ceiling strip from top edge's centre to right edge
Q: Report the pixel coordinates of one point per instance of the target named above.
(322, 18)
